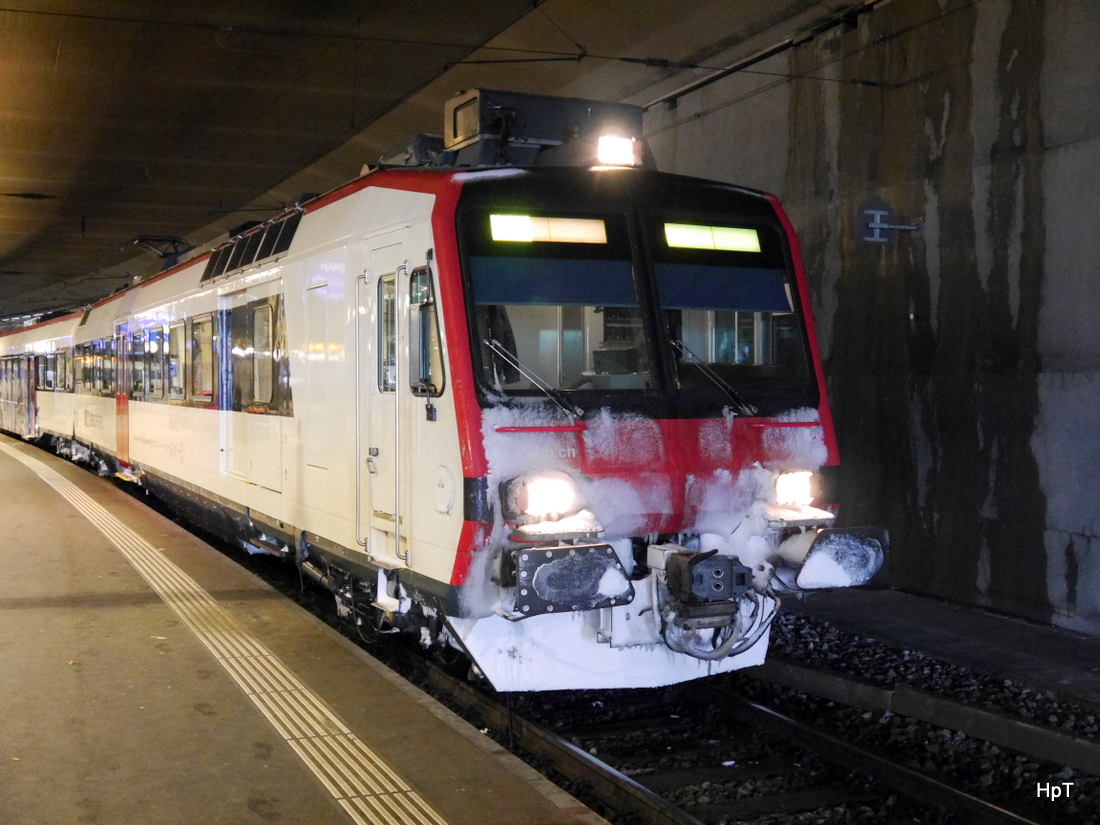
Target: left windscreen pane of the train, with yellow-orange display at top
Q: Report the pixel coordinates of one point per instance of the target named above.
(558, 293)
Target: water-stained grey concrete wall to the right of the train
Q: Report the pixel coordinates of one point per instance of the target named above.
(963, 357)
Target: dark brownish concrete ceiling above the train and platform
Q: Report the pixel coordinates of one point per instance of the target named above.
(122, 119)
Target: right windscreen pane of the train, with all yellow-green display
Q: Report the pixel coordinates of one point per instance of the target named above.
(728, 302)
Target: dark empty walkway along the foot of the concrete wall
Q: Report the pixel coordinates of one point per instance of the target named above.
(1041, 657)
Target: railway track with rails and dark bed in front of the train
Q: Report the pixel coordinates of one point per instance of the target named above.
(707, 756)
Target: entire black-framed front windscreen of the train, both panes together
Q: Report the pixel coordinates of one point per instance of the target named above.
(681, 311)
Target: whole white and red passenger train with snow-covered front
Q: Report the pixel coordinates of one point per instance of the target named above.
(512, 391)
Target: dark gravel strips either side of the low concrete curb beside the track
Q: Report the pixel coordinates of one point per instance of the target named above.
(984, 768)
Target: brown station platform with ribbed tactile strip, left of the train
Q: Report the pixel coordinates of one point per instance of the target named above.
(145, 678)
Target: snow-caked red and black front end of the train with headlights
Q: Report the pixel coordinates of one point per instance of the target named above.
(653, 416)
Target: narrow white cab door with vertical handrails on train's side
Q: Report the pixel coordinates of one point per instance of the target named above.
(383, 398)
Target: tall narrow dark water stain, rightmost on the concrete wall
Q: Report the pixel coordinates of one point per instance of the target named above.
(1015, 530)
